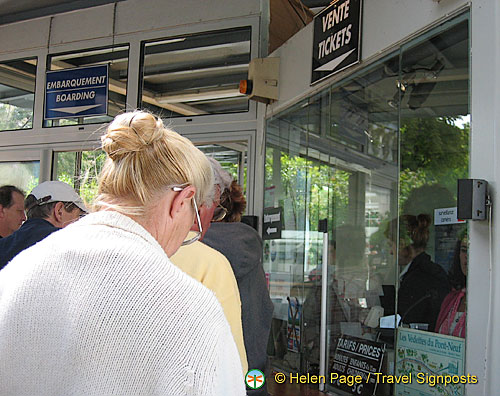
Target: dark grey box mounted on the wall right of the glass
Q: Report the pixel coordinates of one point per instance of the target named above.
(472, 198)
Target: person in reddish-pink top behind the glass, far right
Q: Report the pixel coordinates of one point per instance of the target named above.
(452, 317)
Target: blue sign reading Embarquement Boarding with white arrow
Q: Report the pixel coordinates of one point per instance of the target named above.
(76, 92)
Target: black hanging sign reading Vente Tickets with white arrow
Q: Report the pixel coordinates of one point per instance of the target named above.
(337, 38)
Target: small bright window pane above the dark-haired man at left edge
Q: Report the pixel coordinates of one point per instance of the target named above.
(23, 175)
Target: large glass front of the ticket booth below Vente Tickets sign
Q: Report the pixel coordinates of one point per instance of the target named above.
(367, 154)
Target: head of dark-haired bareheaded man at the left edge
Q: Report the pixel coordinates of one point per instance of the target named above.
(11, 210)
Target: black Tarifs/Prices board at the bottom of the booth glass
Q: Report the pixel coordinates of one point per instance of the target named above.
(356, 357)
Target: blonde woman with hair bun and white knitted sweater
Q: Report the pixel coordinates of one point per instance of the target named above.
(98, 308)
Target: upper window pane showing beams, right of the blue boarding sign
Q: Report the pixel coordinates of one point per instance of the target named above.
(196, 74)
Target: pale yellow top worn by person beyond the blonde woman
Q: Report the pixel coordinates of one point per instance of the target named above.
(213, 270)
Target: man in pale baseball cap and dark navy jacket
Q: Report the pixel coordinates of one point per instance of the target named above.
(51, 205)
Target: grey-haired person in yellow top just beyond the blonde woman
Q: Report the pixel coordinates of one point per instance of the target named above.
(210, 267)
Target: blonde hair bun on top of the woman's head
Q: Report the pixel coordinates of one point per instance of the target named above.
(131, 133)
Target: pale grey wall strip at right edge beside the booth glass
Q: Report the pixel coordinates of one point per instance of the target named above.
(483, 320)
